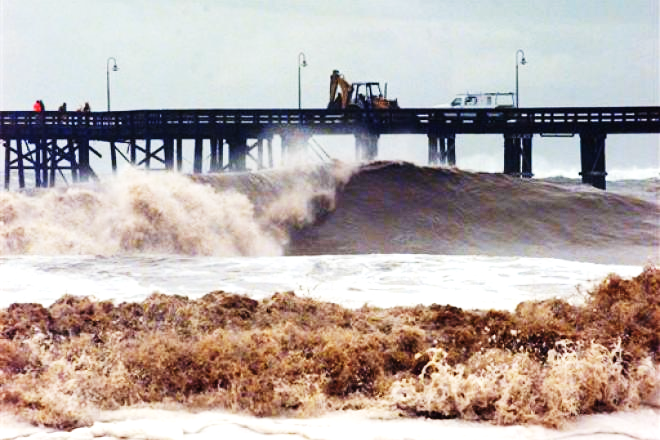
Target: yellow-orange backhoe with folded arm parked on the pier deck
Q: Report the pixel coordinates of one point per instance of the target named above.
(361, 95)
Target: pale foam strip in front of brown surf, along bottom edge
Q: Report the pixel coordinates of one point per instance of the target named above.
(155, 424)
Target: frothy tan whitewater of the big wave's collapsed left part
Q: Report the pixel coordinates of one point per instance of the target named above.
(138, 212)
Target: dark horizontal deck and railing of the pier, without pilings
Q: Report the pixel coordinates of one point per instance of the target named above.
(188, 123)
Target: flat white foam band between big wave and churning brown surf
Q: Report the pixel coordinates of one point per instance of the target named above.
(470, 282)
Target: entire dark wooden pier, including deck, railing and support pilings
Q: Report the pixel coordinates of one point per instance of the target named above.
(54, 146)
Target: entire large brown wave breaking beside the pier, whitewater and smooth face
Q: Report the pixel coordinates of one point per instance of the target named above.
(382, 207)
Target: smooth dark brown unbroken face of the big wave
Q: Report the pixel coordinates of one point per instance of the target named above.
(400, 208)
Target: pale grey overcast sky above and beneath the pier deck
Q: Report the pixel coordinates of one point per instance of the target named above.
(229, 54)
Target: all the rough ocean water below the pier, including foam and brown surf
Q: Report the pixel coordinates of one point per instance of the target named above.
(380, 243)
